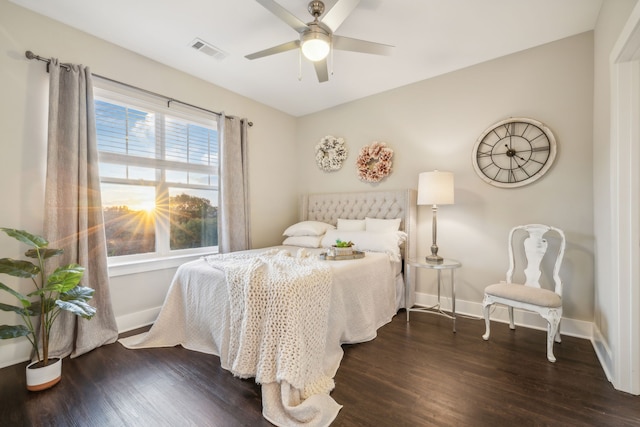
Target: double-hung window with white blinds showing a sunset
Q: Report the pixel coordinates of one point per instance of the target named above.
(159, 183)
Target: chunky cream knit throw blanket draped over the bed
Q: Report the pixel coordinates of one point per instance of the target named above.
(279, 308)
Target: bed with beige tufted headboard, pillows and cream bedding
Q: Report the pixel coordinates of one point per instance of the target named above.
(322, 305)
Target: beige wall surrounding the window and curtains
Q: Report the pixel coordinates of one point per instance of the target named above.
(23, 116)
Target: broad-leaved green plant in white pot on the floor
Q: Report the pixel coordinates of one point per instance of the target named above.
(40, 308)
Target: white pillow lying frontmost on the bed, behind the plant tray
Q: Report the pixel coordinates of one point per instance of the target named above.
(368, 241)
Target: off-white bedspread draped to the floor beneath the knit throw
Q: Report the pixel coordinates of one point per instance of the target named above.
(197, 315)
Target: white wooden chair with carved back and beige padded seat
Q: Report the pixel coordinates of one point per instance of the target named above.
(530, 295)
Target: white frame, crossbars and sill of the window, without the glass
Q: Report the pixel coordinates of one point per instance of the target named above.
(163, 257)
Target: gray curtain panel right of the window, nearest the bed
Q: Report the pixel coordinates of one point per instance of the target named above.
(233, 205)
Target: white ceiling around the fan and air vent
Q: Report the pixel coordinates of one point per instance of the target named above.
(431, 37)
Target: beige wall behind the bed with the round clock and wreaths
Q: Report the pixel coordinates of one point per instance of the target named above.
(434, 124)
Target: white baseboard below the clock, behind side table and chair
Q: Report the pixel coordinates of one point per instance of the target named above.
(570, 327)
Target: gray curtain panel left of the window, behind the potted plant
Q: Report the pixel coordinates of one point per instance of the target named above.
(74, 220)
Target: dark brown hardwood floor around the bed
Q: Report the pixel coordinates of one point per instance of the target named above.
(416, 374)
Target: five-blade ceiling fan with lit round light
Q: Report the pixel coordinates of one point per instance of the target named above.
(317, 37)
